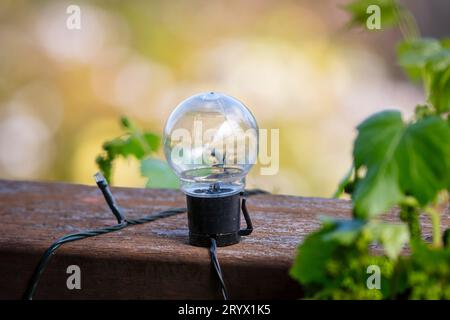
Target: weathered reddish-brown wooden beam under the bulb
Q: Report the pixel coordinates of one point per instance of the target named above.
(150, 261)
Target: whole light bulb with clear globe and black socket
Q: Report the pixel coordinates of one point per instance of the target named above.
(211, 143)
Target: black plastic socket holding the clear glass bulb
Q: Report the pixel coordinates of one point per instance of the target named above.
(218, 218)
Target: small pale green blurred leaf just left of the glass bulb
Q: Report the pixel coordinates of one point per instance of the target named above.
(159, 173)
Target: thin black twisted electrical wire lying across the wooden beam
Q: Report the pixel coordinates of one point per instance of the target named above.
(122, 223)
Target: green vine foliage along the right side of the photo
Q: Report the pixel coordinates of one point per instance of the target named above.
(395, 163)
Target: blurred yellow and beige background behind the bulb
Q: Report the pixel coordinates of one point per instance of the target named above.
(295, 64)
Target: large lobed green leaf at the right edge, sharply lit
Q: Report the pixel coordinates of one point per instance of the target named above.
(400, 160)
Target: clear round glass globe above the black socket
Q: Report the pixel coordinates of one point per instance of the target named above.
(211, 143)
